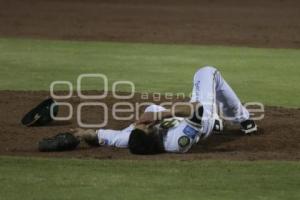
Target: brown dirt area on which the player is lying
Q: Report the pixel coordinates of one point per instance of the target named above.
(278, 137)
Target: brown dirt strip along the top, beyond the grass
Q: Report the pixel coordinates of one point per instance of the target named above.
(269, 23)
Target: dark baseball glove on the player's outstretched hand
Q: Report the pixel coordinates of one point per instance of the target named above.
(60, 142)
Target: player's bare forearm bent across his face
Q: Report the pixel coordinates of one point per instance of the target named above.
(180, 110)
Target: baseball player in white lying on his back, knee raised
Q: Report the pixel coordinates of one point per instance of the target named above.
(161, 130)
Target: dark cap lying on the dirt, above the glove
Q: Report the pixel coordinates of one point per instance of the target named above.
(40, 115)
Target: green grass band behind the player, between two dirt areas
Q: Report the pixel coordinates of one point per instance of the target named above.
(267, 75)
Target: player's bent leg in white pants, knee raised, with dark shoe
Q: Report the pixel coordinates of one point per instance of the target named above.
(209, 89)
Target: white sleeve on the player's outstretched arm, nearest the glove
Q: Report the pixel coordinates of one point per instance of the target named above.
(114, 138)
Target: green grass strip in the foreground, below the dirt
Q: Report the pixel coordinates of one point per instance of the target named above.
(32, 178)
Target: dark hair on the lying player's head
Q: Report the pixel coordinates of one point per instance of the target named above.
(142, 143)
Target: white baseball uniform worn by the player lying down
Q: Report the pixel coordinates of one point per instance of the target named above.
(211, 90)
